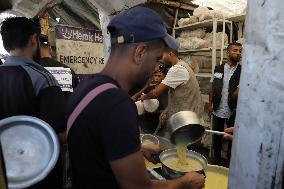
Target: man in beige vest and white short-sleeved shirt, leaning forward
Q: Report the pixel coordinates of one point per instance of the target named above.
(184, 90)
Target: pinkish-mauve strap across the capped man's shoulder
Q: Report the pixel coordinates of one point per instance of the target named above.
(86, 100)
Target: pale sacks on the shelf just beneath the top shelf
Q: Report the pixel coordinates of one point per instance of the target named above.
(198, 39)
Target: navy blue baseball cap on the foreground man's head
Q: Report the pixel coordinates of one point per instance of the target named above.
(139, 24)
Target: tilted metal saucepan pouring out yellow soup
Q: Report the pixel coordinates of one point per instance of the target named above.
(185, 124)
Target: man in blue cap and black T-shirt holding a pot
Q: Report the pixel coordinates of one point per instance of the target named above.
(103, 134)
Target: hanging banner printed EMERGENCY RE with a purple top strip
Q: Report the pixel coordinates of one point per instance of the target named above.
(80, 49)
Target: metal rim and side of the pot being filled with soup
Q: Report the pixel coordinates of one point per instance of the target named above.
(170, 173)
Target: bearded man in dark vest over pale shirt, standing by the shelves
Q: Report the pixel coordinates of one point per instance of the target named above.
(224, 95)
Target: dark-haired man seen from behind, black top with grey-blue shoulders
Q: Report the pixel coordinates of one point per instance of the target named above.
(26, 88)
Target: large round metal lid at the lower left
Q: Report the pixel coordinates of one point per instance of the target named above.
(30, 148)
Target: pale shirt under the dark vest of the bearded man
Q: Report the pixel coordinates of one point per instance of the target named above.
(224, 111)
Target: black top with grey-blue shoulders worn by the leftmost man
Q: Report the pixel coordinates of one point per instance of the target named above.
(26, 88)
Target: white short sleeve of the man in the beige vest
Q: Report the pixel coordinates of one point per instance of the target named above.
(177, 75)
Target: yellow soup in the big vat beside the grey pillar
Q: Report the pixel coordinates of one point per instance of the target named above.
(216, 180)
